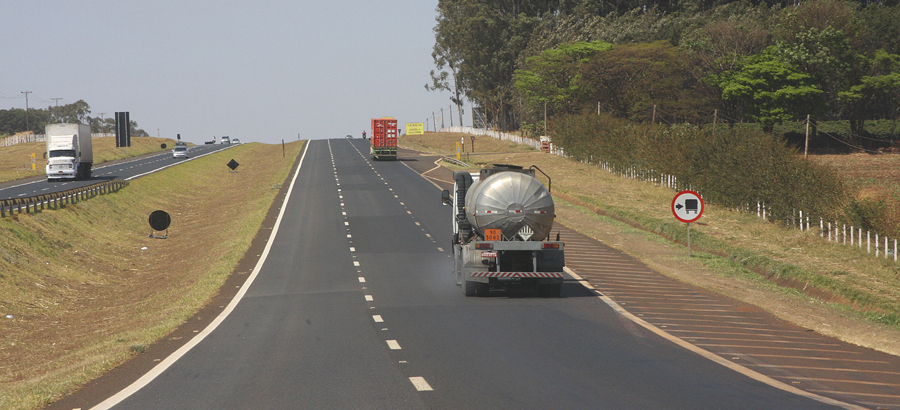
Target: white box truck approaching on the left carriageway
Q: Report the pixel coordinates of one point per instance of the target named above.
(69, 151)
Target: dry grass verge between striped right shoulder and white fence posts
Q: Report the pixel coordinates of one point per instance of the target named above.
(608, 207)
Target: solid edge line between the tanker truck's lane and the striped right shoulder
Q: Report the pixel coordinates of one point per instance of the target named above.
(709, 355)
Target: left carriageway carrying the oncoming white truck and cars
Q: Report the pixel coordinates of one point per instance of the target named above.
(126, 169)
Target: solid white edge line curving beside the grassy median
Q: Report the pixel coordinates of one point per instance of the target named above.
(171, 359)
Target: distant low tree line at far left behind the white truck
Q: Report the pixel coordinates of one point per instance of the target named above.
(16, 120)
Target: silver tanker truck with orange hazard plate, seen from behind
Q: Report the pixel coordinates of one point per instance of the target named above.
(502, 217)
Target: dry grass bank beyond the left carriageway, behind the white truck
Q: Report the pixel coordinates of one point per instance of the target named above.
(15, 160)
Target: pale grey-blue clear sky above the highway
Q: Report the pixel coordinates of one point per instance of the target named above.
(261, 71)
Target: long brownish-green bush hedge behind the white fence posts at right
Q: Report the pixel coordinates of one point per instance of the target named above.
(731, 167)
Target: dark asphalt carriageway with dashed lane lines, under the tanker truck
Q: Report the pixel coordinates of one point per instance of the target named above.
(353, 306)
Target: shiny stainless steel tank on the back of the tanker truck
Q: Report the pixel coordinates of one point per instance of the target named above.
(510, 201)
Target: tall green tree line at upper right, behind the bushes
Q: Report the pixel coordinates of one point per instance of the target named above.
(675, 61)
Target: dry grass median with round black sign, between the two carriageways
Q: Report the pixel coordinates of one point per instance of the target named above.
(86, 287)
